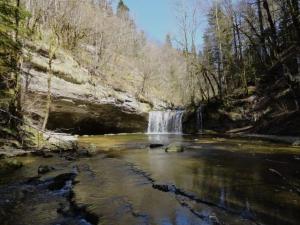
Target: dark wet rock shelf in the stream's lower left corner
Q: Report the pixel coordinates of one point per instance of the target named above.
(38, 189)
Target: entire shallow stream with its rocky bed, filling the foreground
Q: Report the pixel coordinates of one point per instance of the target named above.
(134, 179)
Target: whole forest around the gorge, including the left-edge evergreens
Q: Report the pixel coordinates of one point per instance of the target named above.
(248, 46)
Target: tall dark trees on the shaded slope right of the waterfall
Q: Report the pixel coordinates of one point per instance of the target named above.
(245, 43)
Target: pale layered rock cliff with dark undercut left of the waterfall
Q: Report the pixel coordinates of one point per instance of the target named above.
(81, 103)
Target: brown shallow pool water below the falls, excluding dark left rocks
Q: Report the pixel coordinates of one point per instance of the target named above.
(214, 181)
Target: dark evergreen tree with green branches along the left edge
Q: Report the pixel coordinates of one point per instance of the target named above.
(11, 18)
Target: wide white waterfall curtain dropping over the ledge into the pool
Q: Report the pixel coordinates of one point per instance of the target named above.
(165, 122)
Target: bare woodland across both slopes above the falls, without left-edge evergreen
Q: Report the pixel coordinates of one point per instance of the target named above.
(243, 42)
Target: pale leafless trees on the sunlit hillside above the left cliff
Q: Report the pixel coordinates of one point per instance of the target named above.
(111, 47)
